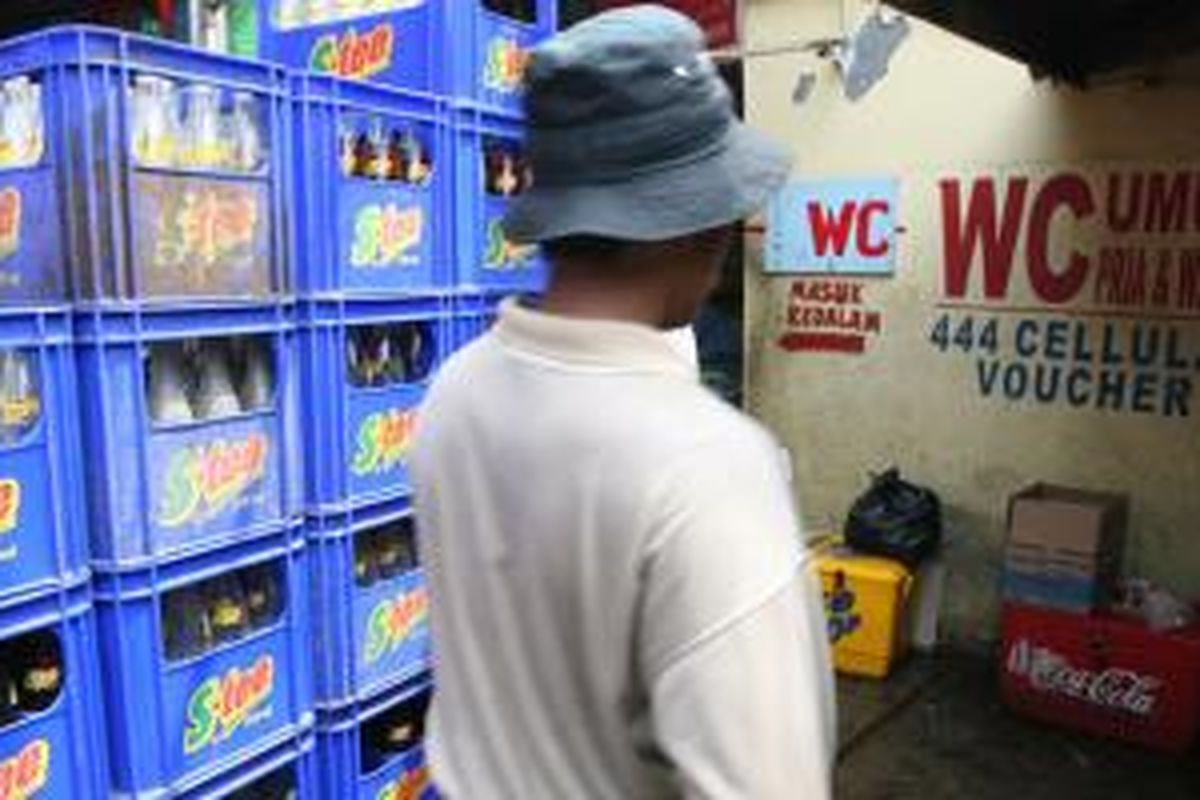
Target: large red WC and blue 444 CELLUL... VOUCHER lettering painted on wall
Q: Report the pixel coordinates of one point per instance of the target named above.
(1077, 290)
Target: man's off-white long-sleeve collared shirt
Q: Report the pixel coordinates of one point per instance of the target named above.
(622, 607)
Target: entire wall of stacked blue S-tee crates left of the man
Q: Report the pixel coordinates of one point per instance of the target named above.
(225, 290)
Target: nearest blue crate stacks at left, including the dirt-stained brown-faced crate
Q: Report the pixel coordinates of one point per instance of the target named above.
(159, 206)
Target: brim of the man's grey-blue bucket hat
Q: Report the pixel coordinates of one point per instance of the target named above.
(657, 206)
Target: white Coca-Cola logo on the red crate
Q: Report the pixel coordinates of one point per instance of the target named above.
(1117, 689)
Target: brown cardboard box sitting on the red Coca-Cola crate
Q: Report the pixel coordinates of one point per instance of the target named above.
(1065, 548)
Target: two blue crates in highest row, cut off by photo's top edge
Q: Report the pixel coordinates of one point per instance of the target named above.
(475, 51)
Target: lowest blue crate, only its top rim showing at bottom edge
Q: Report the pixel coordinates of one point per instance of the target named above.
(272, 775)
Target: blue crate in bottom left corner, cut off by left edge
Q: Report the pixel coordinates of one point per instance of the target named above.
(57, 753)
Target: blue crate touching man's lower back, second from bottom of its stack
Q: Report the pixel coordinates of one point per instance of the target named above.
(371, 623)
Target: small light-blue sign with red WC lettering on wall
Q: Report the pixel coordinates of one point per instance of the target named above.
(833, 227)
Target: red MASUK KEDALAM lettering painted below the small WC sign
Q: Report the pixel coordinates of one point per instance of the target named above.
(830, 316)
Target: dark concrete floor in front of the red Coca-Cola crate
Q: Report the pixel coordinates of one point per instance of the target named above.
(938, 731)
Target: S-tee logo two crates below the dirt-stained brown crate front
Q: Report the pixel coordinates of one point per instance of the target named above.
(223, 706)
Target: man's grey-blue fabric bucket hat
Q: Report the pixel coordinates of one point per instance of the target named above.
(633, 136)
